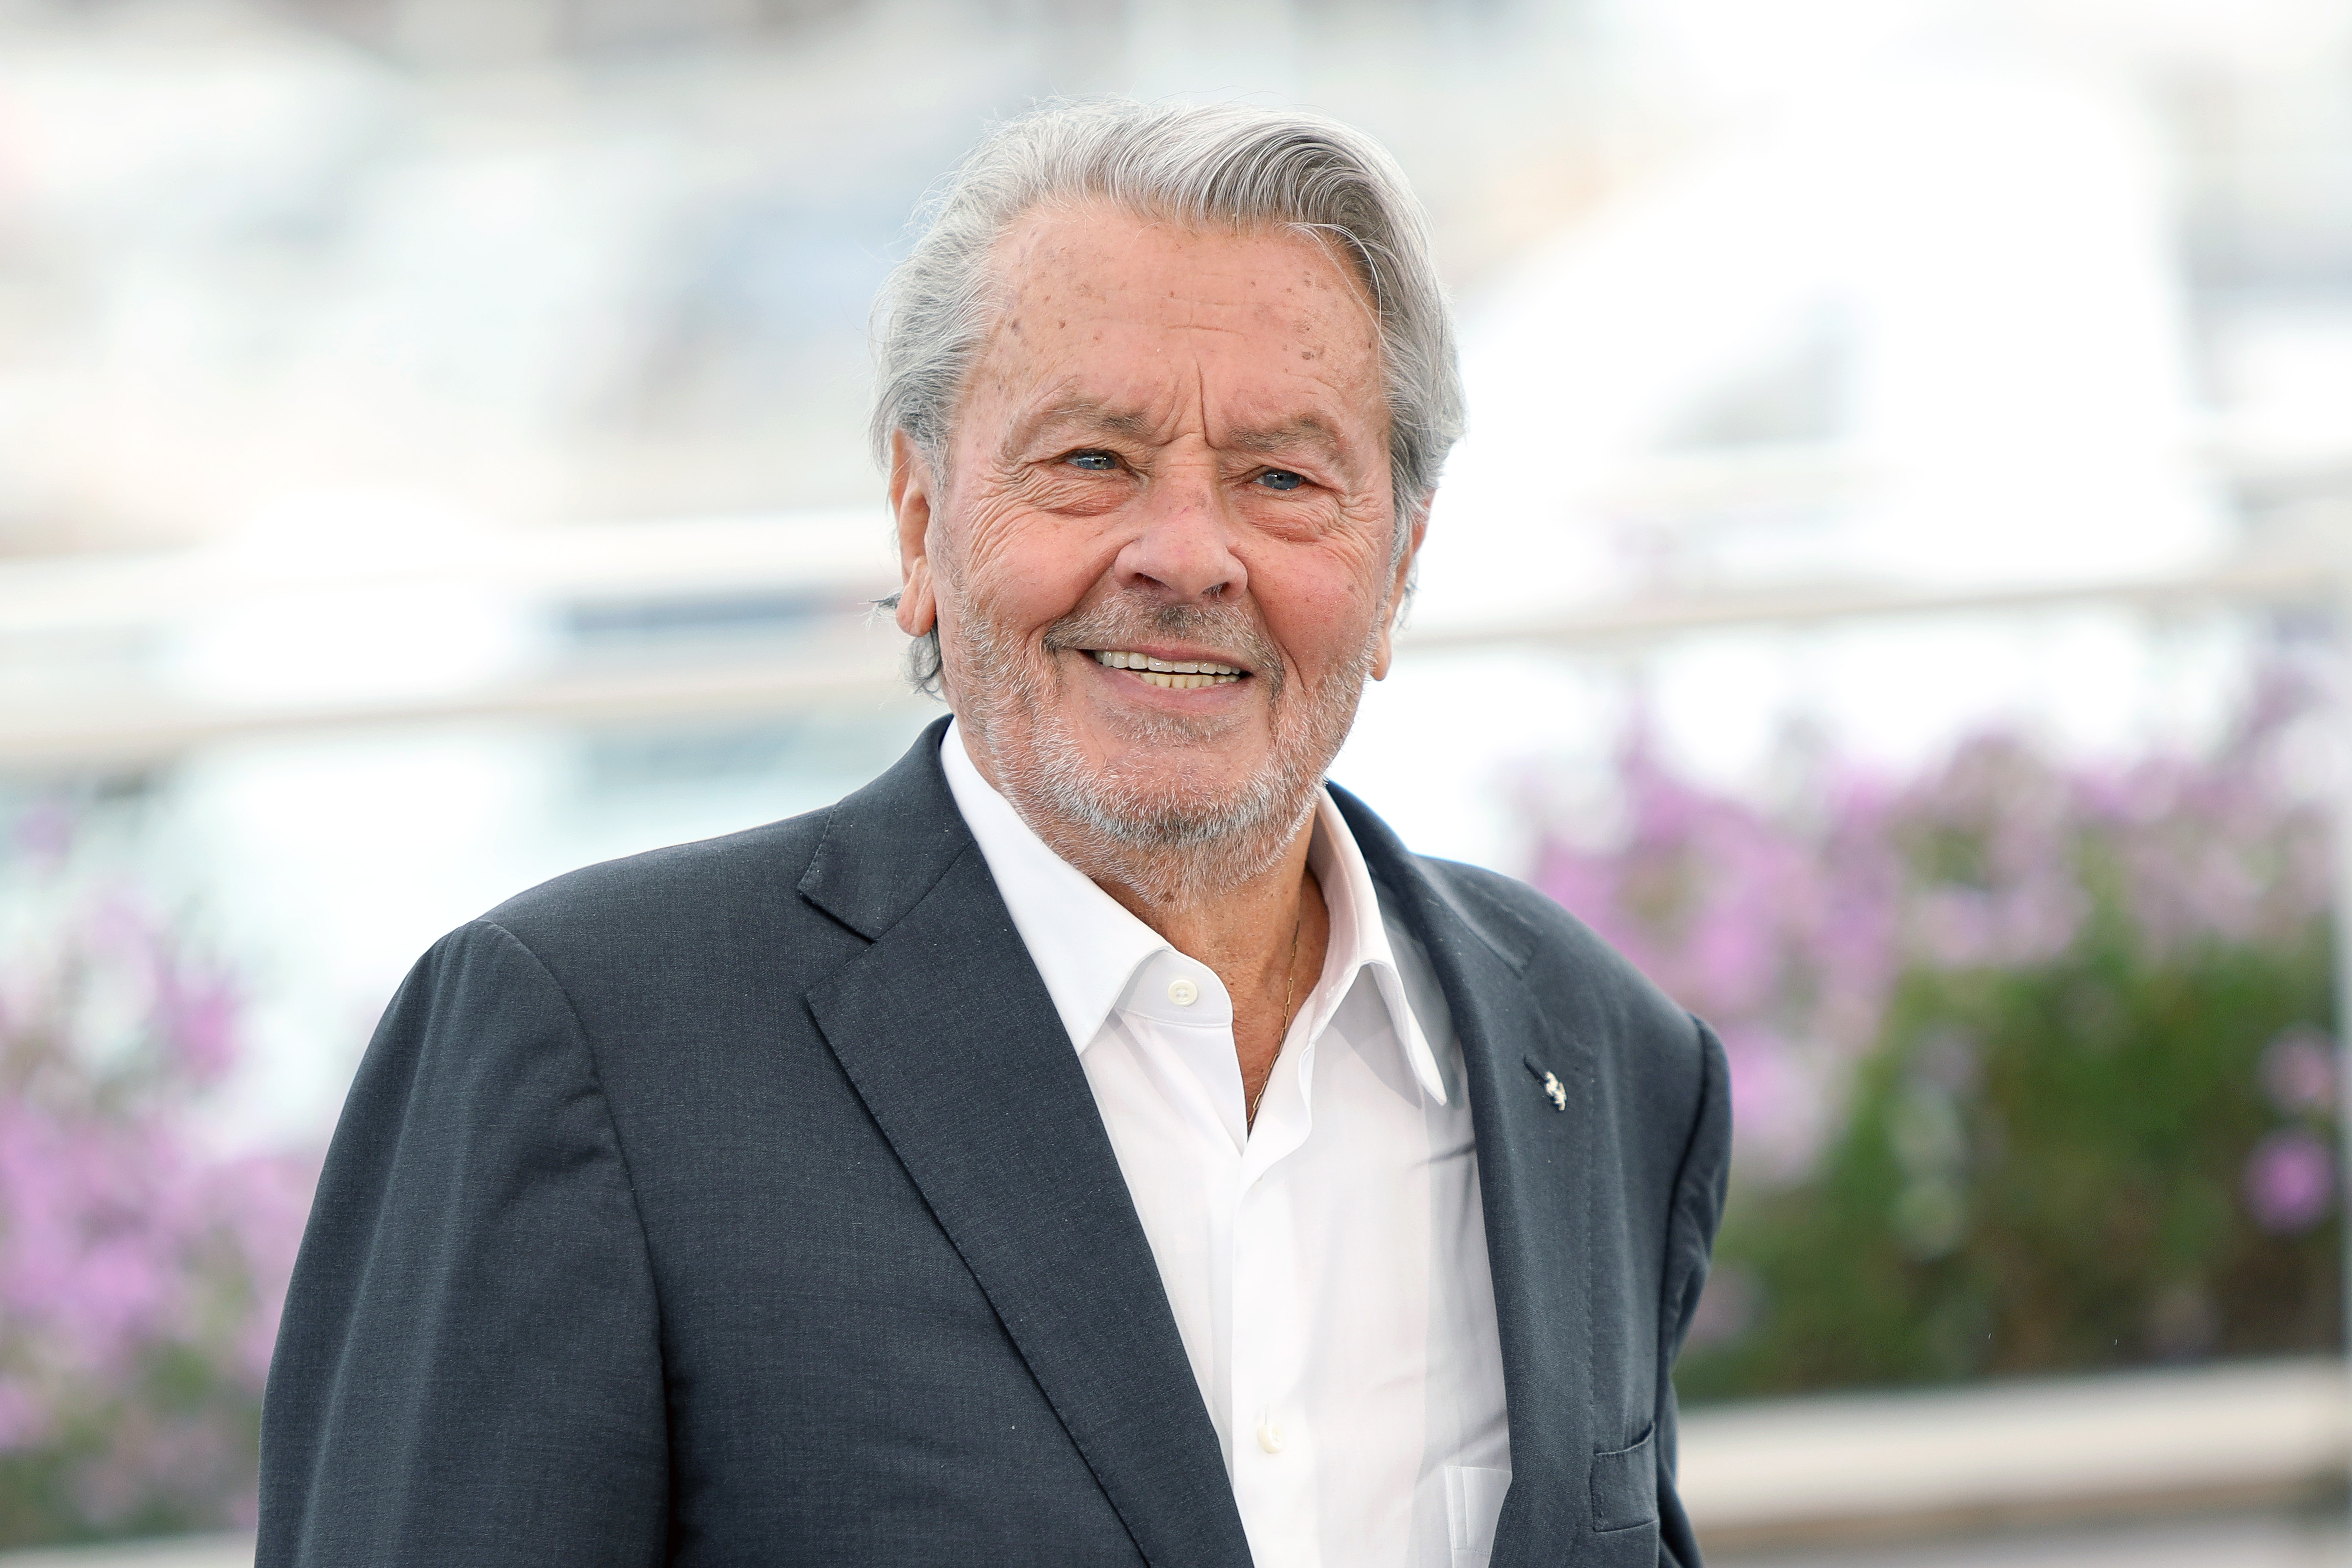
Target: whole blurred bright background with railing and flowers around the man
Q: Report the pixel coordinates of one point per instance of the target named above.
(1892, 589)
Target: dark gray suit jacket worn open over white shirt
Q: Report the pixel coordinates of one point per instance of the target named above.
(747, 1205)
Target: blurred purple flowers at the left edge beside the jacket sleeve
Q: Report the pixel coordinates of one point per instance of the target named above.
(119, 1235)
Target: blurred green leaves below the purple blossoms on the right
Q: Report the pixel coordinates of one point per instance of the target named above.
(2043, 1170)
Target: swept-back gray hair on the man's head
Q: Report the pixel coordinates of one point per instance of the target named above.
(1201, 166)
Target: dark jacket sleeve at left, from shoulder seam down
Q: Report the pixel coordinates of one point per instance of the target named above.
(469, 1367)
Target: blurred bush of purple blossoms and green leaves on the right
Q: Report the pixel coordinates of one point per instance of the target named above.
(2029, 1059)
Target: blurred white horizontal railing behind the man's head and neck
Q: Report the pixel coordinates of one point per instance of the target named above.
(55, 612)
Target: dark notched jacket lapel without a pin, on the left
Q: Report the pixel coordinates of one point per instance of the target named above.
(949, 1036)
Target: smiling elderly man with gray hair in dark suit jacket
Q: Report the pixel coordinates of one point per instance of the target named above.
(1097, 1141)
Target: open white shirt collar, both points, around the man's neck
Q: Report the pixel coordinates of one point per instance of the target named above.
(1088, 946)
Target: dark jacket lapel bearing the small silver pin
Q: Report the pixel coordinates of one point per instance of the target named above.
(1535, 1186)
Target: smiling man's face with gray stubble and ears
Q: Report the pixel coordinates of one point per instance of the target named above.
(1172, 453)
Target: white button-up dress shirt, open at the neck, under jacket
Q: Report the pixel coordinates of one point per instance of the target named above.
(1328, 1266)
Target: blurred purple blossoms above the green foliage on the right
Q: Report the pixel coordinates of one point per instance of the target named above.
(1791, 927)
